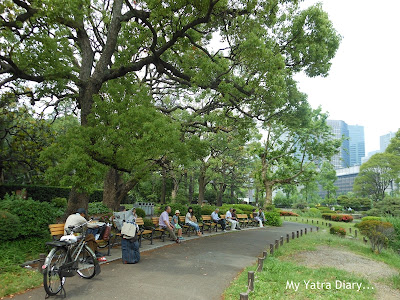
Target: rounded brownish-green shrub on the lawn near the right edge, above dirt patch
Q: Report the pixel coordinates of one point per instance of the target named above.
(378, 232)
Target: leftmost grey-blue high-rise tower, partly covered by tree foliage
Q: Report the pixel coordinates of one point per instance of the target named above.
(339, 130)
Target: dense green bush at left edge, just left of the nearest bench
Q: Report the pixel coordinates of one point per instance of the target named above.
(35, 216)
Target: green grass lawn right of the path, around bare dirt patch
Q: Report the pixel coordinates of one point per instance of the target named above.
(272, 282)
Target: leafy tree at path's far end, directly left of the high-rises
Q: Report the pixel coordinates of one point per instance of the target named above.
(292, 146)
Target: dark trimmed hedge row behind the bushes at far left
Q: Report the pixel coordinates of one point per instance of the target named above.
(45, 193)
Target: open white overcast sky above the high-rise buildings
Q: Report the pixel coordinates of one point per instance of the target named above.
(364, 82)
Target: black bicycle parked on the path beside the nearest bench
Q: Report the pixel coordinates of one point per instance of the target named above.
(70, 255)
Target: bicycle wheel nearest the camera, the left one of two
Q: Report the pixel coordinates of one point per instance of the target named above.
(52, 280)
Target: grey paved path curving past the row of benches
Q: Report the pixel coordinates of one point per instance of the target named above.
(200, 268)
